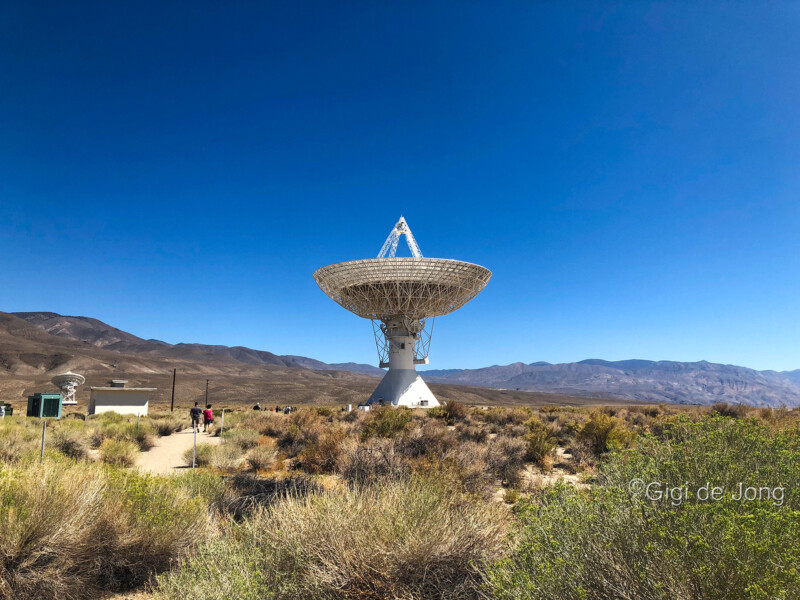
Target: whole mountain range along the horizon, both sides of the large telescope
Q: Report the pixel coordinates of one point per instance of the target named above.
(36, 345)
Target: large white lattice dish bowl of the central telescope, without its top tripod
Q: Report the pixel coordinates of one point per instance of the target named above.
(413, 288)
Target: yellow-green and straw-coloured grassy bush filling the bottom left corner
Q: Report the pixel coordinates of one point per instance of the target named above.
(72, 531)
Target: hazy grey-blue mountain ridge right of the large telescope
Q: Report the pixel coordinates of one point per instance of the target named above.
(653, 381)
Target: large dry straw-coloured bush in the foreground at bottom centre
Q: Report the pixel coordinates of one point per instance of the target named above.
(414, 538)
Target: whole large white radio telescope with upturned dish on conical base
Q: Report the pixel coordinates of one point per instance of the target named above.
(402, 296)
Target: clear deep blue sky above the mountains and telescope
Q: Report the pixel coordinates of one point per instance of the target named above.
(629, 172)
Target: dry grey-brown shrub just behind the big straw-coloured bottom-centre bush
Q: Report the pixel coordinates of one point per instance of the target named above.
(376, 459)
